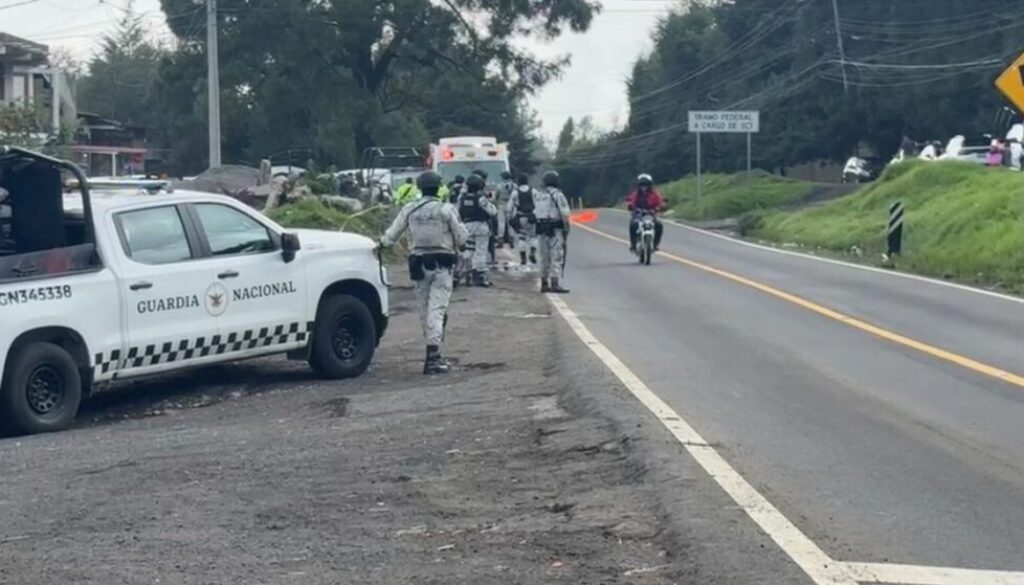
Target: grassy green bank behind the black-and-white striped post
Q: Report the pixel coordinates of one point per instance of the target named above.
(963, 223)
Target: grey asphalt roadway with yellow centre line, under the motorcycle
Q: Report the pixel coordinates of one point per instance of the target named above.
(877, 448)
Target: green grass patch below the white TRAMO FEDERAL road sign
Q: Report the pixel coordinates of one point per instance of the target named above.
(733, 196)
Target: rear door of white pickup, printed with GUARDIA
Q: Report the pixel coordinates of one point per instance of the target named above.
(168, 294)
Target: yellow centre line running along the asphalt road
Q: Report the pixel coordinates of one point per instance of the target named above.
(932, 351)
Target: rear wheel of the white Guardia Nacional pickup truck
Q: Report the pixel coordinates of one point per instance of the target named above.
(41, 392)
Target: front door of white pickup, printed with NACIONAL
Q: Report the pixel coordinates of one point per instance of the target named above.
(266, 302)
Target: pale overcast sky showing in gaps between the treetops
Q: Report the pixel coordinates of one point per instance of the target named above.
(593, 86)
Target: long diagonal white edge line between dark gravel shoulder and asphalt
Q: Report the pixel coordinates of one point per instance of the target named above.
(819, 566)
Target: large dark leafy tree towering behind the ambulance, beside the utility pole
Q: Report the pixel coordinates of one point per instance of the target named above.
(314, 74)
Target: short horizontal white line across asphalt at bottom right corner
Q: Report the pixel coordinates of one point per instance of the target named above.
(916, 575)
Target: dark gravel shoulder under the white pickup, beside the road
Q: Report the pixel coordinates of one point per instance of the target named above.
(527, 466)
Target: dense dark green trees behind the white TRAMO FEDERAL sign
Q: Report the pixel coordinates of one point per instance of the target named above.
(912, 68)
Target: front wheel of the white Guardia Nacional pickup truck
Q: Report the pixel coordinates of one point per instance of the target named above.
(345, 339)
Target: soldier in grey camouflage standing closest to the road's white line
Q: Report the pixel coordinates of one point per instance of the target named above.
(552, 212)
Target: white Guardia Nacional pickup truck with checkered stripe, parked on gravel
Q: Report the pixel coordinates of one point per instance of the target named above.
(112, 284)
